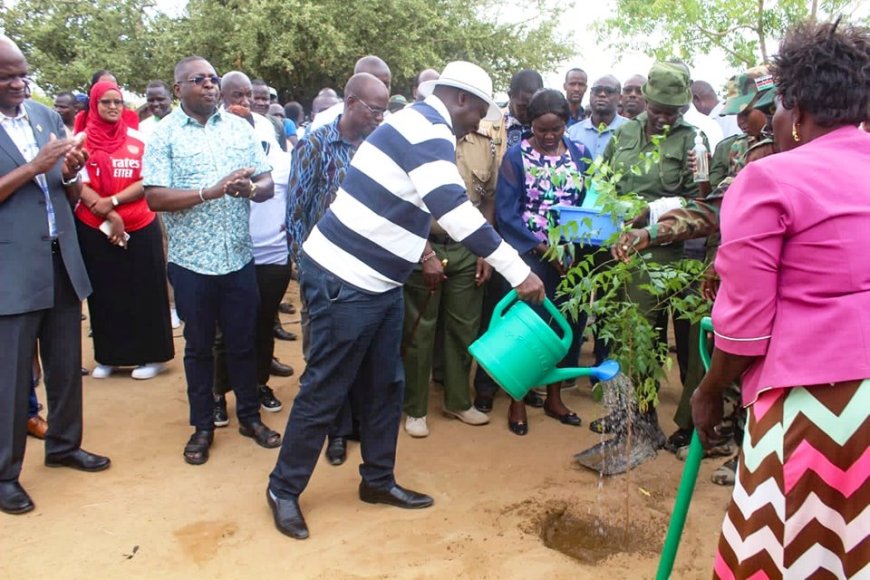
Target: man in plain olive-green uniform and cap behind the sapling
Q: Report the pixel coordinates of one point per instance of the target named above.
(666, 91)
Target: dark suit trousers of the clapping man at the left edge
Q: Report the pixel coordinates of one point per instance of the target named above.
(58, 330)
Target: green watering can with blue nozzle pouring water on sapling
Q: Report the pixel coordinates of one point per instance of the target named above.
(520, 350)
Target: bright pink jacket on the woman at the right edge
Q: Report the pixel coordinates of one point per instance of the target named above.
(795, 265)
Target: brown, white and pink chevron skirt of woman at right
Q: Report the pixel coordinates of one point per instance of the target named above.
(800, 502)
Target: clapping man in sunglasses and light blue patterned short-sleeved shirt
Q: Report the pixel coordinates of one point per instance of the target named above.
(203, 167)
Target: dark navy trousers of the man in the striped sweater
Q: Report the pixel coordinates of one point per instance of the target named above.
(355, 342)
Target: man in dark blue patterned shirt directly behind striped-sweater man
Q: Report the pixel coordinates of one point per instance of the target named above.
(319, 165)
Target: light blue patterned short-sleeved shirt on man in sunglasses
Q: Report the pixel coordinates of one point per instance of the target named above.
(211, 238)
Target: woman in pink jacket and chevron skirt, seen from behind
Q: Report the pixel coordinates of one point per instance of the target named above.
(792, 317)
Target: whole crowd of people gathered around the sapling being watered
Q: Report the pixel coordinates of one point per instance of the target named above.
(406, 221)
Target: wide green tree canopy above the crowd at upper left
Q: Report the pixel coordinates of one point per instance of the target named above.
(298, 46)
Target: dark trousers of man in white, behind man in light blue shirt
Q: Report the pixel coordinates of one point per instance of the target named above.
(272, 281)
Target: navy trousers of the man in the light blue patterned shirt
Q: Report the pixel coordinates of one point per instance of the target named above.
(205, 302)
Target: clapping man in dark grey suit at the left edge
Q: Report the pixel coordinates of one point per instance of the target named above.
(42, 280)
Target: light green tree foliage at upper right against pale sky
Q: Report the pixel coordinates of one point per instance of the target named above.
(745, 30)
